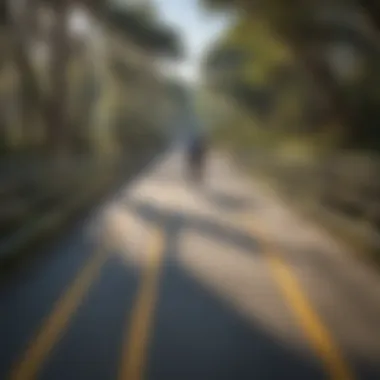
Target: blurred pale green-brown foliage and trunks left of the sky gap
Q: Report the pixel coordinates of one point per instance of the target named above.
(105, 90)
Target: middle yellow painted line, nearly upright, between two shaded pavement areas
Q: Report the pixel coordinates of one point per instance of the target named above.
(137, 338)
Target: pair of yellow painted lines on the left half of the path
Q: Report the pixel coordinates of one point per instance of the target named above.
(30, 364)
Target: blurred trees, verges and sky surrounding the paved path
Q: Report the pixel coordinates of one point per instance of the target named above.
(291, 89)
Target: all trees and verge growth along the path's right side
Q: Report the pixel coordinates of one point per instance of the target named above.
(296, 85)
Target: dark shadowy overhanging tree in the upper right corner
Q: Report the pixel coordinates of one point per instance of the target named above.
(311, 29)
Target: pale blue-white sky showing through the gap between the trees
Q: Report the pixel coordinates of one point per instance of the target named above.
(197, 29)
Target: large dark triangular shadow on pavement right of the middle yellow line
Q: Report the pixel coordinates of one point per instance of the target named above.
(199, 336)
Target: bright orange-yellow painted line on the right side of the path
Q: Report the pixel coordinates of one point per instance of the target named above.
(313, 327)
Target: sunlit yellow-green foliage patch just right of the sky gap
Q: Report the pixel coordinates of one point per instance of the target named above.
(263, 80)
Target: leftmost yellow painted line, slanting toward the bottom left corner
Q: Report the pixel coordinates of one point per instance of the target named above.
(53, 328)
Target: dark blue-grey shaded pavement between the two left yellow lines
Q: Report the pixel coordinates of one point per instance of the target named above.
(93, 344)
